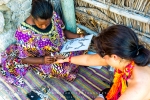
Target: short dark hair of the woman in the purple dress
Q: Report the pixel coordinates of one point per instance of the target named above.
(41, 9)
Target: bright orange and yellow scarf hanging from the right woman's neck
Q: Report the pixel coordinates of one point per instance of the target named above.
(120, 78)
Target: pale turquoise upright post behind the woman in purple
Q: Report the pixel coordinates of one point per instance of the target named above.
(69, 15)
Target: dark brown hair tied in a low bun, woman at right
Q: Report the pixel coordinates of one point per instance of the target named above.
(122, 41)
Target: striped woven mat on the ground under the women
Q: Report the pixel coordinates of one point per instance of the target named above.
(87, 86)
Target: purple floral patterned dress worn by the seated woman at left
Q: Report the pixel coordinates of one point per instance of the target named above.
(32, 42)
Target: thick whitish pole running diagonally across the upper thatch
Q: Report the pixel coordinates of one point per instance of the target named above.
(119, 11)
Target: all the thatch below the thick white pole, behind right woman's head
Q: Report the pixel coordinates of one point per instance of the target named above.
(98, 20)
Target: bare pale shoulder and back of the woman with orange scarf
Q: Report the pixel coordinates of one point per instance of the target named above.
(138, 86)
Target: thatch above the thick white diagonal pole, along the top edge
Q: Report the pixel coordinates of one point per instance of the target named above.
(137, 6)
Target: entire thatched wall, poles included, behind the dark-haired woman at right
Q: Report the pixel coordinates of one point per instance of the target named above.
(99, 14)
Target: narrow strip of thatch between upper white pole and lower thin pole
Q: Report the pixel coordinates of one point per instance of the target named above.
(116, 19)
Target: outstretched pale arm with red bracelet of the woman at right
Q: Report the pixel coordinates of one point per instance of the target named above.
(86, 60)
